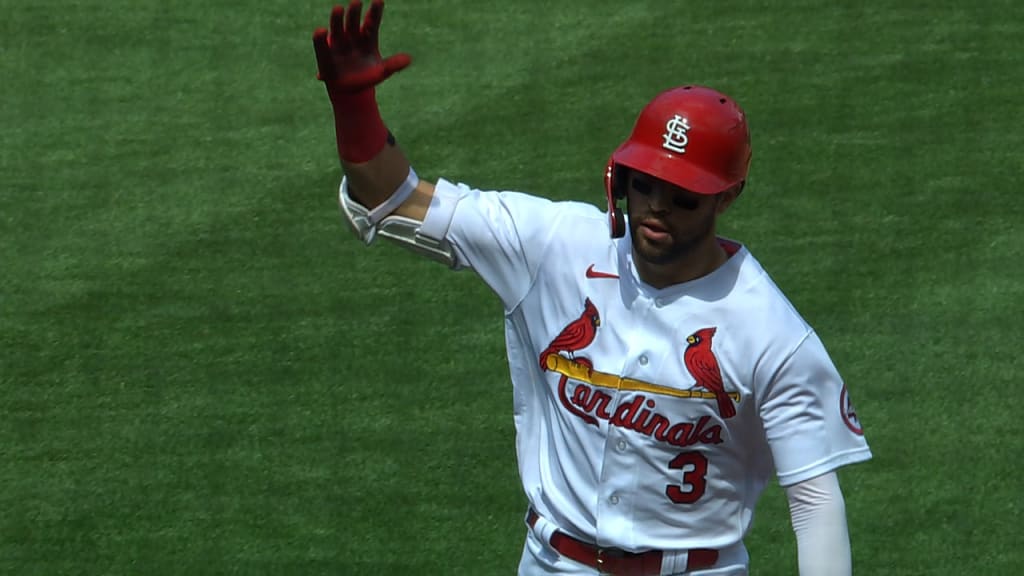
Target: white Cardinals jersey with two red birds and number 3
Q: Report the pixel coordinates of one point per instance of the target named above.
(647, 419)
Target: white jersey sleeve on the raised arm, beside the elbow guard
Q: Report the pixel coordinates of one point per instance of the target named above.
(499, 235)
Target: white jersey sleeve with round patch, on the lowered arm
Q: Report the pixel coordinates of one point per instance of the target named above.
(809, 421)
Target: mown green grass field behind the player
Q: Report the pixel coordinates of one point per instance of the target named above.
(203, 373)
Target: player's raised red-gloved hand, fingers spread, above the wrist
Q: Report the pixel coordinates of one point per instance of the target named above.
(349, 58)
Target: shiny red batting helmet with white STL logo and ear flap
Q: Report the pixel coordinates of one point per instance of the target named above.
(693, 137)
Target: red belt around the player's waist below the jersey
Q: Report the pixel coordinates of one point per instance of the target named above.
(618, 562)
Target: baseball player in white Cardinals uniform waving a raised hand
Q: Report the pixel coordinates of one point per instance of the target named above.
(660, 377)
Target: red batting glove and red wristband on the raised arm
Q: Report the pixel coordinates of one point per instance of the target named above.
(350, 63)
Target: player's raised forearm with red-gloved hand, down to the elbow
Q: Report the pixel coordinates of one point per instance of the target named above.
(351, 66)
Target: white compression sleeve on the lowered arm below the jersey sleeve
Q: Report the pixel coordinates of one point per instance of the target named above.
(819, 515)
